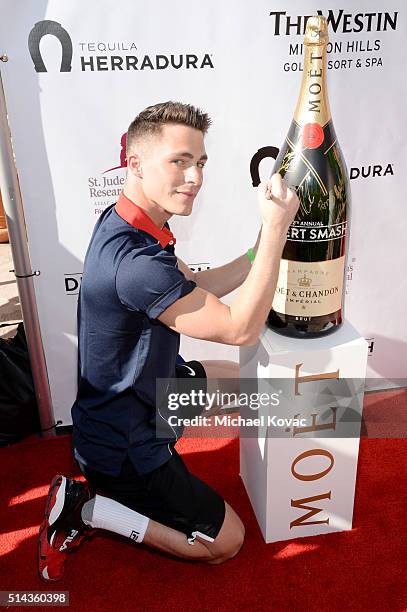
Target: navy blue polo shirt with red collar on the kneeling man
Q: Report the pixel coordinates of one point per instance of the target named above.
(130, 277)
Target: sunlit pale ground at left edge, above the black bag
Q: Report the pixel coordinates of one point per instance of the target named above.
(10, 309)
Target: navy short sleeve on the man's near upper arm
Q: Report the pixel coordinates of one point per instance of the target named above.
(150, 282)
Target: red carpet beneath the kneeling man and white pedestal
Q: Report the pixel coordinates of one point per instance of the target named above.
(364, 569)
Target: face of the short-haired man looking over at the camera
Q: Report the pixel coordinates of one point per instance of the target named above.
(171, 168)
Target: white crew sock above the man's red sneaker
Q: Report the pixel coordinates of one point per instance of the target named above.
(105, 513)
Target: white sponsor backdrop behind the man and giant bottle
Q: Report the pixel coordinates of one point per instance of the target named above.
(241, 63)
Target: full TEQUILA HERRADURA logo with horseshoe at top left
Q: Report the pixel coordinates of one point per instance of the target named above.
(103, 56)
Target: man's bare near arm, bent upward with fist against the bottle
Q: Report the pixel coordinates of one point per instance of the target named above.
(202, 315)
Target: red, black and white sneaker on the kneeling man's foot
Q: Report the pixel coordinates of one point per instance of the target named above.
(62, 529)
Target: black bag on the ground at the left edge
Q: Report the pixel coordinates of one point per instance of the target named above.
(18, 404)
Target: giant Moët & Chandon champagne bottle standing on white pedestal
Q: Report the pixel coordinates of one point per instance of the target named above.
(309, 294)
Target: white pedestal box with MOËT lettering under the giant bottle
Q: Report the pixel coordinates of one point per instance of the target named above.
(298, 459)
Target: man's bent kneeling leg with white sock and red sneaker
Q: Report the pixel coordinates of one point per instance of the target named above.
(72, 511)
